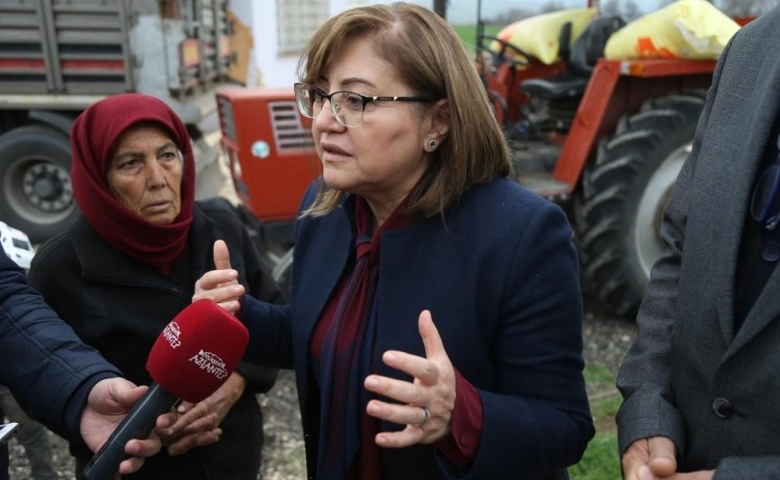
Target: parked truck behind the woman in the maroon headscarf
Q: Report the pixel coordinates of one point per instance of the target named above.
(57, 57)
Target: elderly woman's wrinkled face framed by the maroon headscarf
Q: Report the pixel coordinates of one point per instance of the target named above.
(145, 174)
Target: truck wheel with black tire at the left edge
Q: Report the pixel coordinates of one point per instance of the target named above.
(36, 195)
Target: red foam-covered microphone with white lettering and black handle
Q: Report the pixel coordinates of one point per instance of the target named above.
(193, 356)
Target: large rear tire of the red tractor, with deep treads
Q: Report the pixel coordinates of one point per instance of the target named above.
(619, 205)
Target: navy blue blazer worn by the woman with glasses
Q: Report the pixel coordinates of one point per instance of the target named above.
(499, 273)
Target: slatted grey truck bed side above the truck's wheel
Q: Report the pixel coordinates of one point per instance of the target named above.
(103, 47)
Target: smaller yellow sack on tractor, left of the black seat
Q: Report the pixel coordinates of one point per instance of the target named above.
(539, 36)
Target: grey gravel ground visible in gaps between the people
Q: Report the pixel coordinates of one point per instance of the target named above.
(606, 340)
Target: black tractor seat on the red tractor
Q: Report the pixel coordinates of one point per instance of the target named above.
(580, 61)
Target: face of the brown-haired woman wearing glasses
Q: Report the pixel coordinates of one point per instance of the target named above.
(382, 158)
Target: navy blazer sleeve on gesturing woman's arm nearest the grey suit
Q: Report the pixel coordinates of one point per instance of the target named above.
(537, 420)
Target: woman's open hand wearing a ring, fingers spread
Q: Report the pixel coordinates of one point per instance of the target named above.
(427, 403)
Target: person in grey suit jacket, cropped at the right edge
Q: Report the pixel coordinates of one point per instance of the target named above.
(700, 384)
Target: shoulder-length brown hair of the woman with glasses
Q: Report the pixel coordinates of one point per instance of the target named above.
(431, 59)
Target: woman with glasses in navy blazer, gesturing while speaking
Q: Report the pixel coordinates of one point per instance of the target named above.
(435, 325)
